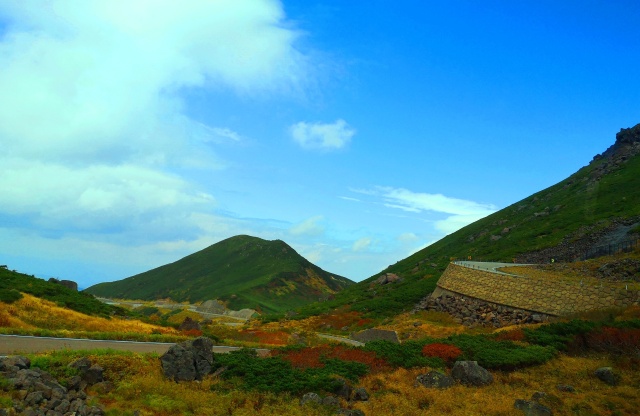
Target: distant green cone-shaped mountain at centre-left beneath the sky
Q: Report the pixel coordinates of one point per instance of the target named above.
(244, 271)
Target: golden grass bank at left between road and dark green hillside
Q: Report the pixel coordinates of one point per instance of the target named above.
(32, 312)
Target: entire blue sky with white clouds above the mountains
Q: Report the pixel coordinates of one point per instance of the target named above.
(137, 132)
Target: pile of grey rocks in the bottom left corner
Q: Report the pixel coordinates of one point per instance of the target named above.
(39, 393)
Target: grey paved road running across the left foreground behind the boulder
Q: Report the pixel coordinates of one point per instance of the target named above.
(11, 344)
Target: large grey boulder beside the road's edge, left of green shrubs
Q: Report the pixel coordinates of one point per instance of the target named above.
(189, 360)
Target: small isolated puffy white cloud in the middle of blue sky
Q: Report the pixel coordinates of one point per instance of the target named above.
(322, 136)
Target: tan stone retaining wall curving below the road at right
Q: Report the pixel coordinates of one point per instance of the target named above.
(548, 296)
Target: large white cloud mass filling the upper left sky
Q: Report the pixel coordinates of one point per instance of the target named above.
(93, 123)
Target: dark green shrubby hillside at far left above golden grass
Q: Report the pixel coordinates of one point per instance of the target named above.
(13, 284)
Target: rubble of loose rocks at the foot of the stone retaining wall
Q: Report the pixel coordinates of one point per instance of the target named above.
(475, 312)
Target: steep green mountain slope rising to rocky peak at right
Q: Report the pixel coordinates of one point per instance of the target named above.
(597, 206)
